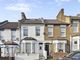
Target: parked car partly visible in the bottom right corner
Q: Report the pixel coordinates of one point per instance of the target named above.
(71, 56)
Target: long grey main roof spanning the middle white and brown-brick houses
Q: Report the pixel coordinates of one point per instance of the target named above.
(41, 21)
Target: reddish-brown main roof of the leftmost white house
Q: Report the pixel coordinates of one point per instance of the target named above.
(9, 25)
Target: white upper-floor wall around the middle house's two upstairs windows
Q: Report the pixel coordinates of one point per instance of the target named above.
(32, 32)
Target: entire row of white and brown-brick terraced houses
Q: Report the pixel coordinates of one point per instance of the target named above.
(40, 38)
